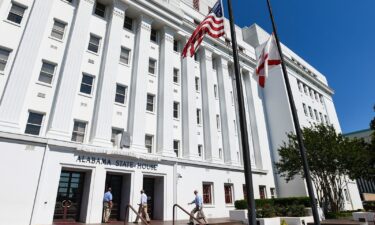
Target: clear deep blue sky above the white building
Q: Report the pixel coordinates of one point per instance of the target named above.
(337, 37)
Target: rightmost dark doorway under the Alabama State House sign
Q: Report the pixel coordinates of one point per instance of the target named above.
(154, 189)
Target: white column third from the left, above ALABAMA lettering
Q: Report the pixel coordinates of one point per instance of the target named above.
(102, 120)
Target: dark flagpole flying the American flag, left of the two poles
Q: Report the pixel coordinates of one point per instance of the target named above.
(243, 124)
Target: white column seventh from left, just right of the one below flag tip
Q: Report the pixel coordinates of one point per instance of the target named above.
(209, 107)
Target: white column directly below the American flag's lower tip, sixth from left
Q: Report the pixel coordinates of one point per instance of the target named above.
(189, 110)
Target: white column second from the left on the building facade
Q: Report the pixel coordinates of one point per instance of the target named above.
(70, 74)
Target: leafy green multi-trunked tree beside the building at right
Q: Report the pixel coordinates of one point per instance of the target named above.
(332, 158)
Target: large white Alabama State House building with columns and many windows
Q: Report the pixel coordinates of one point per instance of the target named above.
(95, 94)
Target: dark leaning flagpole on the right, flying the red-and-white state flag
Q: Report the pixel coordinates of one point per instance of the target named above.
(296, 124)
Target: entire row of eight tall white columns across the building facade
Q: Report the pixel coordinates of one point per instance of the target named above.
(59, 125)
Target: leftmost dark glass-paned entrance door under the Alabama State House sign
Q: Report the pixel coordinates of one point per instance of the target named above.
(69, 196)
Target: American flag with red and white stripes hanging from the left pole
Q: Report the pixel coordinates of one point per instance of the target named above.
(213, 25)
